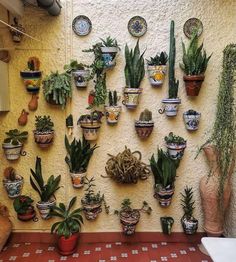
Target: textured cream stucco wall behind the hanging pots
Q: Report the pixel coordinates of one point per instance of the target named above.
(111, 18)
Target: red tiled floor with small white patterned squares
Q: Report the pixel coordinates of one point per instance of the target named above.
(140, 252)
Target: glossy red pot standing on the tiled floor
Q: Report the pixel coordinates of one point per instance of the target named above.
(67, 246)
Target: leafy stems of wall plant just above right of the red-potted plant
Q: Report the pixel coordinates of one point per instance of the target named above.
(91, 197)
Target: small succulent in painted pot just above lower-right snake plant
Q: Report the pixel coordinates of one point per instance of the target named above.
(175, 145)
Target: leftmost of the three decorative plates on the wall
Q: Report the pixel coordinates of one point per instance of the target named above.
(81, 25)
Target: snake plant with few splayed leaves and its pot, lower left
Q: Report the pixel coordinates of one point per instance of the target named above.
(46, 190)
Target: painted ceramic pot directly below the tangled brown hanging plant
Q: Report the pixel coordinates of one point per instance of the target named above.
(129, 220)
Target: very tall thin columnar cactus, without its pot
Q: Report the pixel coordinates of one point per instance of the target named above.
(173, 83)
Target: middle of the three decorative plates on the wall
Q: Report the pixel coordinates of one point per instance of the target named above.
(137, 26)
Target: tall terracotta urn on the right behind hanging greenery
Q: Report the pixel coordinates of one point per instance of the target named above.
(209, 186)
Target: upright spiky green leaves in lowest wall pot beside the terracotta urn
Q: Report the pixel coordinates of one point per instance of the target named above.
(187, 202)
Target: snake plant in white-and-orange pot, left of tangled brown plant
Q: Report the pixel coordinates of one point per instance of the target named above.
(78, 156)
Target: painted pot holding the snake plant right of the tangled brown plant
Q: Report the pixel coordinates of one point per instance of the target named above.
(164, 195)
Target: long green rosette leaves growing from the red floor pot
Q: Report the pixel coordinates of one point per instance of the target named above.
(71, 221)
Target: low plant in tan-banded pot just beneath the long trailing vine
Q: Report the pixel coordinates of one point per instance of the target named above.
(90, 124)
